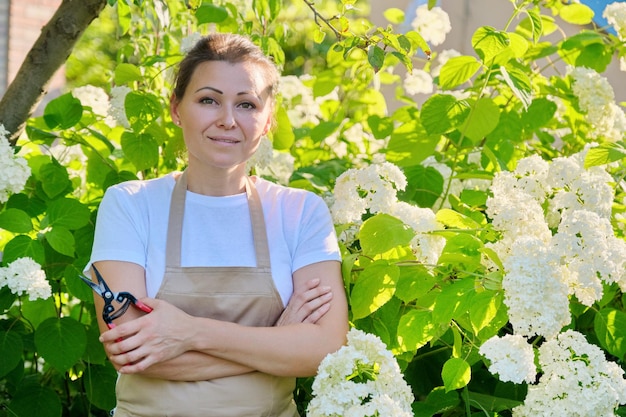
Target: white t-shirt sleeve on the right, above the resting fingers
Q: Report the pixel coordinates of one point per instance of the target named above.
(317, 240)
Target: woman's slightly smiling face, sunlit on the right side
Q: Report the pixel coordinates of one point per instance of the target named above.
(224, 112)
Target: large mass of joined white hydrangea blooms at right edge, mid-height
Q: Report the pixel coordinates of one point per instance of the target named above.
(542, 269)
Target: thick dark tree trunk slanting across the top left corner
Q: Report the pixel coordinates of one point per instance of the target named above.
(48, 54)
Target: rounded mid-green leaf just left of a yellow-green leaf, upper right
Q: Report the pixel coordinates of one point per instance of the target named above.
(441, 113)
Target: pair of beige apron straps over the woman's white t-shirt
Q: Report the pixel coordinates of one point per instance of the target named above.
(177, 211)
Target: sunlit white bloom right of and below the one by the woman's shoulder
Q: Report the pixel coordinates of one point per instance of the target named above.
(427, 247)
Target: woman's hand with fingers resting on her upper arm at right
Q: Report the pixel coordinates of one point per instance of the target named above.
(307, 305)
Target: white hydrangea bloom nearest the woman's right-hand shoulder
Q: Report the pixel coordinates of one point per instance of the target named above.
(373, 188)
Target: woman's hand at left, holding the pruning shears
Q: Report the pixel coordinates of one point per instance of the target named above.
(154, 338)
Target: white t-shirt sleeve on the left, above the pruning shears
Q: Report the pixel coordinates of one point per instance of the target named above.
(120, 233)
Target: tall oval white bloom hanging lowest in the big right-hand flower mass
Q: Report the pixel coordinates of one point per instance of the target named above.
(534, 290)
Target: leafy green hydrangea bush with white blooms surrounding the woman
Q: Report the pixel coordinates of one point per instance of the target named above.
(481, 222)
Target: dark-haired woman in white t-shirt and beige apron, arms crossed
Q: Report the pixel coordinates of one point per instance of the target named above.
(220, 255)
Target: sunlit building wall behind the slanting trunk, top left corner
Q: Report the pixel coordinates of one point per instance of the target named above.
(26, 18)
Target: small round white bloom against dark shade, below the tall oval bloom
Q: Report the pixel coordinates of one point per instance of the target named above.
(512, 358)
